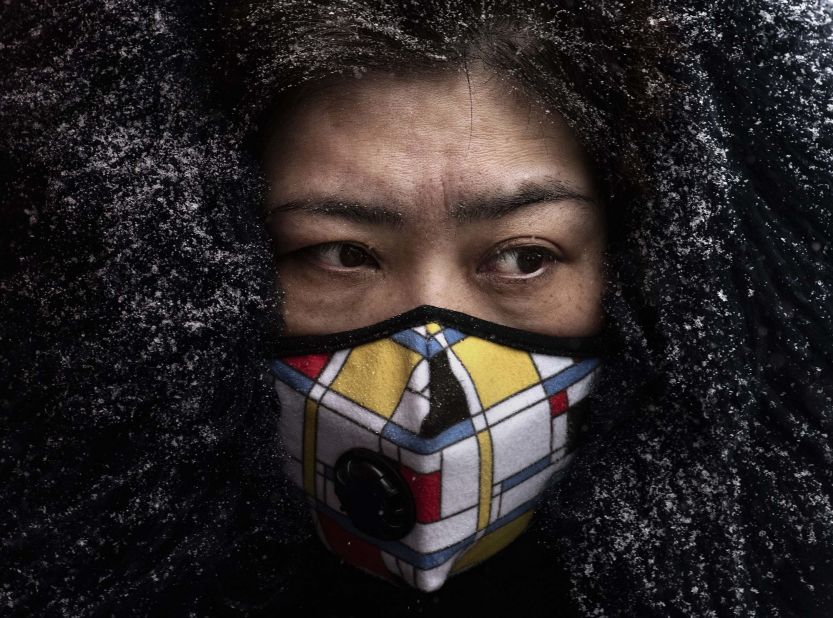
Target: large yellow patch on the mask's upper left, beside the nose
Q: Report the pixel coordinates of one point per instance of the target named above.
(375, 375)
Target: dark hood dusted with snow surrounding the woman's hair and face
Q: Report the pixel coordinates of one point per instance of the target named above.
(138, 450)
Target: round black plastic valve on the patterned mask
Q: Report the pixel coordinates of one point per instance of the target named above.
(374, 495)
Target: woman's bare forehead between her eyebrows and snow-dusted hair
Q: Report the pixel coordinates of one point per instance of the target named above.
(422, 141)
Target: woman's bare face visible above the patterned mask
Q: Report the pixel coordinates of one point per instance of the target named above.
(389, 193)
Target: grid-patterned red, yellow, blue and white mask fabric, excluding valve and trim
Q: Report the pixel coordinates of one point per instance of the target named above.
(474, 481)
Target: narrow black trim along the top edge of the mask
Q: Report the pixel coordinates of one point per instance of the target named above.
(505, 335)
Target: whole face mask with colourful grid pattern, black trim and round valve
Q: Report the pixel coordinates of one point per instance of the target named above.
(423, 442)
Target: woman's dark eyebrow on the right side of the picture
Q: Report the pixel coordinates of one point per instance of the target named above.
(528, 194)
